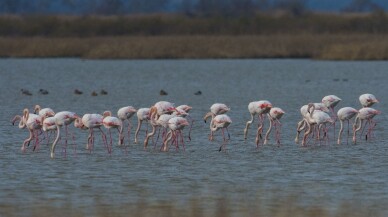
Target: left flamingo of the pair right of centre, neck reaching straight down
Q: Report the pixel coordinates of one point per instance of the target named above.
(257, 108)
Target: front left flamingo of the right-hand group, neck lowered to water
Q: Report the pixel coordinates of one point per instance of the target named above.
(315, 117)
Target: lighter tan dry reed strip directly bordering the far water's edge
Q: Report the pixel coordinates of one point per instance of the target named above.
(324, 46)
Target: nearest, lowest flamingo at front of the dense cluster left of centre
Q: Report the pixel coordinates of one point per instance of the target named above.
(176, 125)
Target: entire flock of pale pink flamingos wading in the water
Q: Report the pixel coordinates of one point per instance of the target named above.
(164, 116)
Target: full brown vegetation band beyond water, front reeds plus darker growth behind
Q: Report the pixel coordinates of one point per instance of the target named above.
(319, 36)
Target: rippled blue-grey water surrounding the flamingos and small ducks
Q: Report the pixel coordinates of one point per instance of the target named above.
(347, 179)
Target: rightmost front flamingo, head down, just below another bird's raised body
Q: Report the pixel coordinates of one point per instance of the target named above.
(364, 114)
